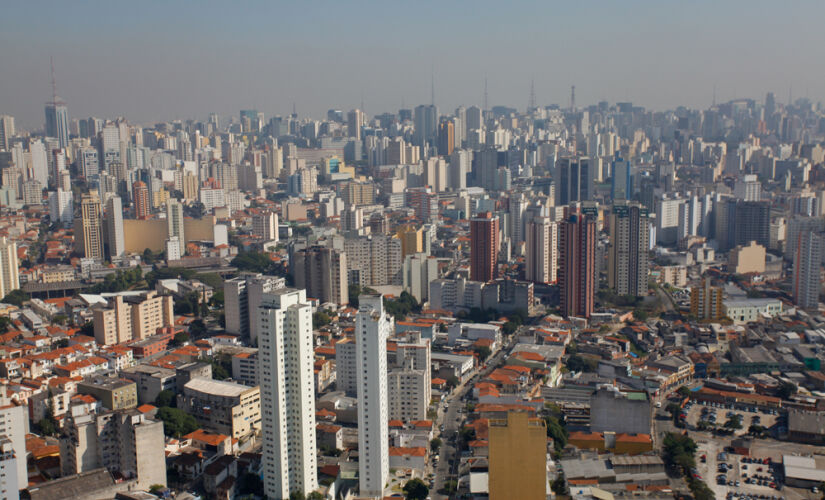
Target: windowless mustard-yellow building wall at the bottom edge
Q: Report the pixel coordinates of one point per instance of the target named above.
(518, 457)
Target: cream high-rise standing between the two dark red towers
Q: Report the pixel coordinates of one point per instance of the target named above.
(542, 251)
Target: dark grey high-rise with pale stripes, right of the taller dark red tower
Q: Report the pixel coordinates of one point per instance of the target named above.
(629, 245)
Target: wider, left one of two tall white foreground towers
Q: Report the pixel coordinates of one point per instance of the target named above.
(285, 360)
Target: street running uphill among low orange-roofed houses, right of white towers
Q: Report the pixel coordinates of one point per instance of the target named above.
(453, 420)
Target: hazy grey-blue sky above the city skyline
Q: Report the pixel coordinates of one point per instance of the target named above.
(153, 61)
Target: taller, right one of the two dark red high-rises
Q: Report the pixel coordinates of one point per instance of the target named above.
(577, 272)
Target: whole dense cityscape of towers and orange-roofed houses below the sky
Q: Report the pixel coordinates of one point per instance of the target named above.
(486, 302)
